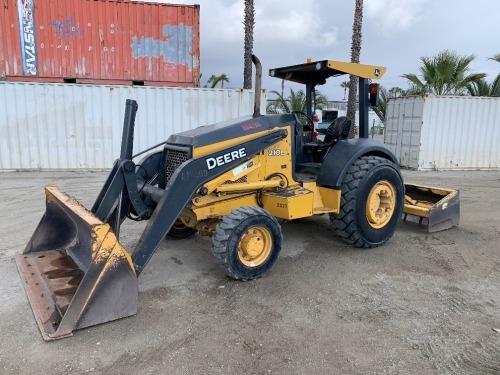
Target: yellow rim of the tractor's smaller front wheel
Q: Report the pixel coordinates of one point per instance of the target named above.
(255, 246)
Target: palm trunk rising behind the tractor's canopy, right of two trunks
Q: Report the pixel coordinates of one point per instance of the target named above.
(355, 52)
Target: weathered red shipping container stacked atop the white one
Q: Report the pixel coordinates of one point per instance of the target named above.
(100, 41)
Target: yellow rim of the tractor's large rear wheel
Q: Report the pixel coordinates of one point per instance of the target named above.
(380, 204)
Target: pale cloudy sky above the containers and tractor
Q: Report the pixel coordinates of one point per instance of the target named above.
(396, 34)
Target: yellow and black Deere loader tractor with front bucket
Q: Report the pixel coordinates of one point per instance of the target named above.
(230, 181)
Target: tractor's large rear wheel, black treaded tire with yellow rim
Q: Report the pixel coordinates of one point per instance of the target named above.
(372, 202)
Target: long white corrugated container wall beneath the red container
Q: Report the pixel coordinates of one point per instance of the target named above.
(65, 126)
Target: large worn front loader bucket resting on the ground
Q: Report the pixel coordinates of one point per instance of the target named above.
(75, 272)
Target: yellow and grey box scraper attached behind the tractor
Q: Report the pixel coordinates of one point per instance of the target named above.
(437, 208)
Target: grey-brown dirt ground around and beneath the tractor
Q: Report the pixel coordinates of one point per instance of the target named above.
(422, 304)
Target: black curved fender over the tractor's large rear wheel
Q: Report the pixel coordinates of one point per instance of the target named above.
(341, 156)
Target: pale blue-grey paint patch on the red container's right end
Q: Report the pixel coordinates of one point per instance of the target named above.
(177, 48)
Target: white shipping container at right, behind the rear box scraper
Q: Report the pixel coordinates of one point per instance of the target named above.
(444, 132)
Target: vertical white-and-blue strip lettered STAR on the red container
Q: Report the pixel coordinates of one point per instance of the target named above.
(26, 13)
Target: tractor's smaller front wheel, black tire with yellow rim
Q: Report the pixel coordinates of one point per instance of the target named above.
(247, 243)
